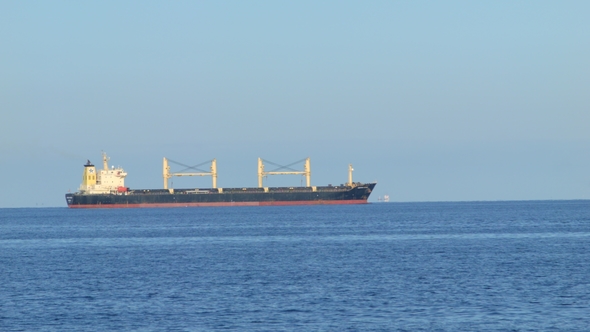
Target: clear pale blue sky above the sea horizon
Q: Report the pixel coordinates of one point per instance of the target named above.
(434, 100)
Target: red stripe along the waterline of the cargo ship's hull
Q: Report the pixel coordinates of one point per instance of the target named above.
(112, 206)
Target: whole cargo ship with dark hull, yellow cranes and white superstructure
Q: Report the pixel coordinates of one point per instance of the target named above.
(105, 188)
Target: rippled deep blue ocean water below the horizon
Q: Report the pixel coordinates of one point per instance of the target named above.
(472, 266)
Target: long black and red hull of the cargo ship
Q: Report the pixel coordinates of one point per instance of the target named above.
(227, 197)
